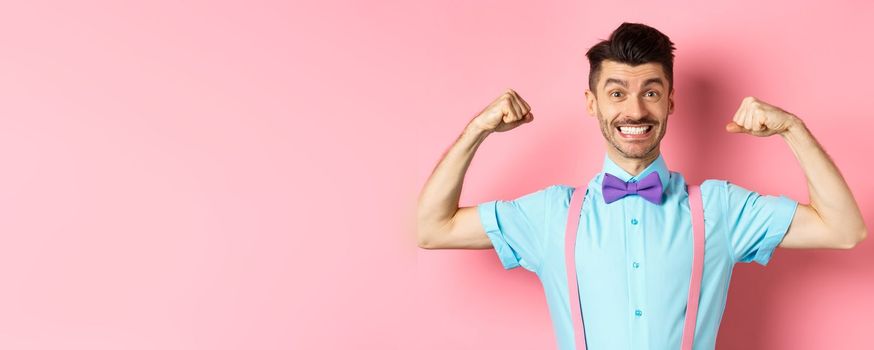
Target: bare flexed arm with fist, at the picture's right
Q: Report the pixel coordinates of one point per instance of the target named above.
(832, 219)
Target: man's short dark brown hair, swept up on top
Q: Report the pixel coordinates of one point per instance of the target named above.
(633, 44)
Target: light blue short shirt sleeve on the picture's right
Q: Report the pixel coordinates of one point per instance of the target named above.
(756, 222)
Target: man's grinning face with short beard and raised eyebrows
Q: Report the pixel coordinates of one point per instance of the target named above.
(632, 105)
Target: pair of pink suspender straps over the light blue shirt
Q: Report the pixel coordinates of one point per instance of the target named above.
(571, 229)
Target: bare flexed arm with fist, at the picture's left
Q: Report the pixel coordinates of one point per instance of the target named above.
(440, 222)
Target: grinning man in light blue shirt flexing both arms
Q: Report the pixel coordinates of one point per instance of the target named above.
(634, 254)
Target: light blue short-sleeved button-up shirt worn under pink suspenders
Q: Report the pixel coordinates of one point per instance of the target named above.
(634, 257)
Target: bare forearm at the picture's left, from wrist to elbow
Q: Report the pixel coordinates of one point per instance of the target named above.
(438, 200)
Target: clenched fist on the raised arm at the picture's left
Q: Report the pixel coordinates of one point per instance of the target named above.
(504, 113)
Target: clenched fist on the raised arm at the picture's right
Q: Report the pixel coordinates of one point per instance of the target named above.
(755, 117)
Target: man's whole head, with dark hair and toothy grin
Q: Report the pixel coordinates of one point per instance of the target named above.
(631, 89)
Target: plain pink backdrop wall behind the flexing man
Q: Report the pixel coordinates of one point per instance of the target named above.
(218, 175)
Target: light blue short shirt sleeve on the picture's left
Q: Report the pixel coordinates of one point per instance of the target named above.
(517, 228)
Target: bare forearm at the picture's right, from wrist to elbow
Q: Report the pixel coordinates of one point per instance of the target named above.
(829, 193)
